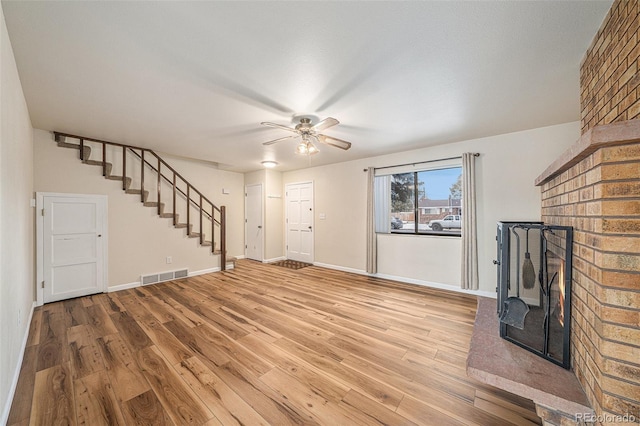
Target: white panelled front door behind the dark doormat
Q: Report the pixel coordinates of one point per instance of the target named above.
(299, 221)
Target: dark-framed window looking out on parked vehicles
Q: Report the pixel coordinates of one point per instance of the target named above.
(421, 202)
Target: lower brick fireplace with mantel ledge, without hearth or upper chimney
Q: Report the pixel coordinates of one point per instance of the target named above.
(595, 187)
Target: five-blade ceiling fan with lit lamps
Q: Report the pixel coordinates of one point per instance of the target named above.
(309, 133)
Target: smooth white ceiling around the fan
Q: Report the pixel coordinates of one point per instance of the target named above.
(196, 78)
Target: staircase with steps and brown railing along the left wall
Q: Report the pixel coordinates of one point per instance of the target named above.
(169, 193)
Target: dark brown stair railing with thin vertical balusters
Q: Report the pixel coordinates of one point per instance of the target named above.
(221, 210)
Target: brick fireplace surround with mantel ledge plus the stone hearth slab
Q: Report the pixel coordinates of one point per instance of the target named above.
(595, 188)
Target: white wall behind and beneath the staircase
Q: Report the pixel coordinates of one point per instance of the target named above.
(139, 241)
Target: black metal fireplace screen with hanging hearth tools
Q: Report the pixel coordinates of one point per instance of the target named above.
(534, 287)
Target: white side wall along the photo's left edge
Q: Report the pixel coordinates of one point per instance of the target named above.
(17, 288)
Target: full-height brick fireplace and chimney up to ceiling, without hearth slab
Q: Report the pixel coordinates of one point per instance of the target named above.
(595, 187)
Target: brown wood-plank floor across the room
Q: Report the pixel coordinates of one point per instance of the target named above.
(259, 345)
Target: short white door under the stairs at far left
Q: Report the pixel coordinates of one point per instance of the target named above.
(73, 246)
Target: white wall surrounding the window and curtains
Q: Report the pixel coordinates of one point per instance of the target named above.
(506, 170)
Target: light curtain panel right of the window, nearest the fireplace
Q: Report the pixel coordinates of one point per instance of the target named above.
(469, 223)
